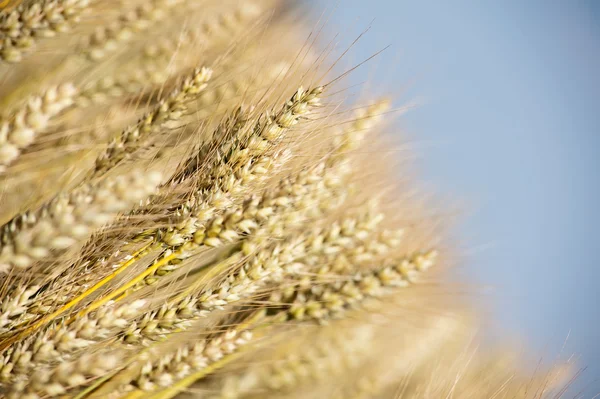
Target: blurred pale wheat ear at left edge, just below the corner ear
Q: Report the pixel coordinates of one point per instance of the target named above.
(19, 129)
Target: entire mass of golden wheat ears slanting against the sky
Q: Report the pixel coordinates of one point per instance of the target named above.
(190, 207)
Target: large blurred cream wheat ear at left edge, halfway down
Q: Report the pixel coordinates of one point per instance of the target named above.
(71, 218)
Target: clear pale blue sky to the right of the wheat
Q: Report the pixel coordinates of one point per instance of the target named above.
(508, 122)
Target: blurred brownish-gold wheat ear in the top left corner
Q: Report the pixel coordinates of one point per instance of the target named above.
(32, 21)
